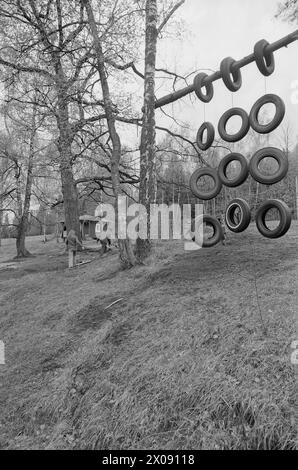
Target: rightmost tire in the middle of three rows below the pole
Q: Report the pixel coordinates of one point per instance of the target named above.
(272, 152)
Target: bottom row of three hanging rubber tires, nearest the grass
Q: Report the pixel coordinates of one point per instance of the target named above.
(243, 222)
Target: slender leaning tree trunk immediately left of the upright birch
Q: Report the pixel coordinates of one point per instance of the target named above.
(127, 257)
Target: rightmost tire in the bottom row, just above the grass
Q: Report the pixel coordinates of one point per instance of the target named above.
(285, 218)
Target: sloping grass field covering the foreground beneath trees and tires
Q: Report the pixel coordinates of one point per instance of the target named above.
(195, 355)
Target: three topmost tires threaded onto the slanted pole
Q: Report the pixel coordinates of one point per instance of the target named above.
(231, 74)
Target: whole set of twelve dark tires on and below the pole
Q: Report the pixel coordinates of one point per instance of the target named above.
(231, 75)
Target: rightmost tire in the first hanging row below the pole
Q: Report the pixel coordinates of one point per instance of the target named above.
(279, 114)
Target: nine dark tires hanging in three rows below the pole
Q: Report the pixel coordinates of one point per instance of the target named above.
(219, 176)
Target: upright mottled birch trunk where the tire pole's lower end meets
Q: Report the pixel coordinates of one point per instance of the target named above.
(147, 191)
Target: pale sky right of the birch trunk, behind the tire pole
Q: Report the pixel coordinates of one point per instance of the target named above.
(216, 29)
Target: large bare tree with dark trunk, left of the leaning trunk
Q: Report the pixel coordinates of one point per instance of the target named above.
(41, 40)
